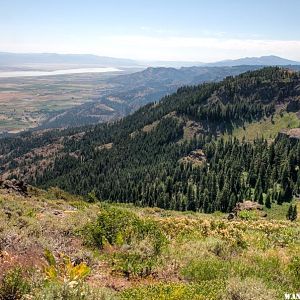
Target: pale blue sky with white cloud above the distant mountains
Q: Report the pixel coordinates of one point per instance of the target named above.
(186, 30)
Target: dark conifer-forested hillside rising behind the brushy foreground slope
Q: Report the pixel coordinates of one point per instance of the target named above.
(186, 152)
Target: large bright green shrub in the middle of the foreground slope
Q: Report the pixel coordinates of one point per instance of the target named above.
(138, 242)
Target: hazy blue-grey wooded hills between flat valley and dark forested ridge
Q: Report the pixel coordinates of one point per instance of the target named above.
(124, 94)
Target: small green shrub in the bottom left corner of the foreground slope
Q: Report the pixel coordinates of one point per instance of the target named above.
(13, 285)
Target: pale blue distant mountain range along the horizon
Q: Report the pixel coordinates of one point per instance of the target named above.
(39, 59)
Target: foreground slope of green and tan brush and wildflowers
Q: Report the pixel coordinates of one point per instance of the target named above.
(57, 246)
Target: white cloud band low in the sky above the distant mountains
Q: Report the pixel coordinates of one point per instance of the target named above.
(146, 47)
